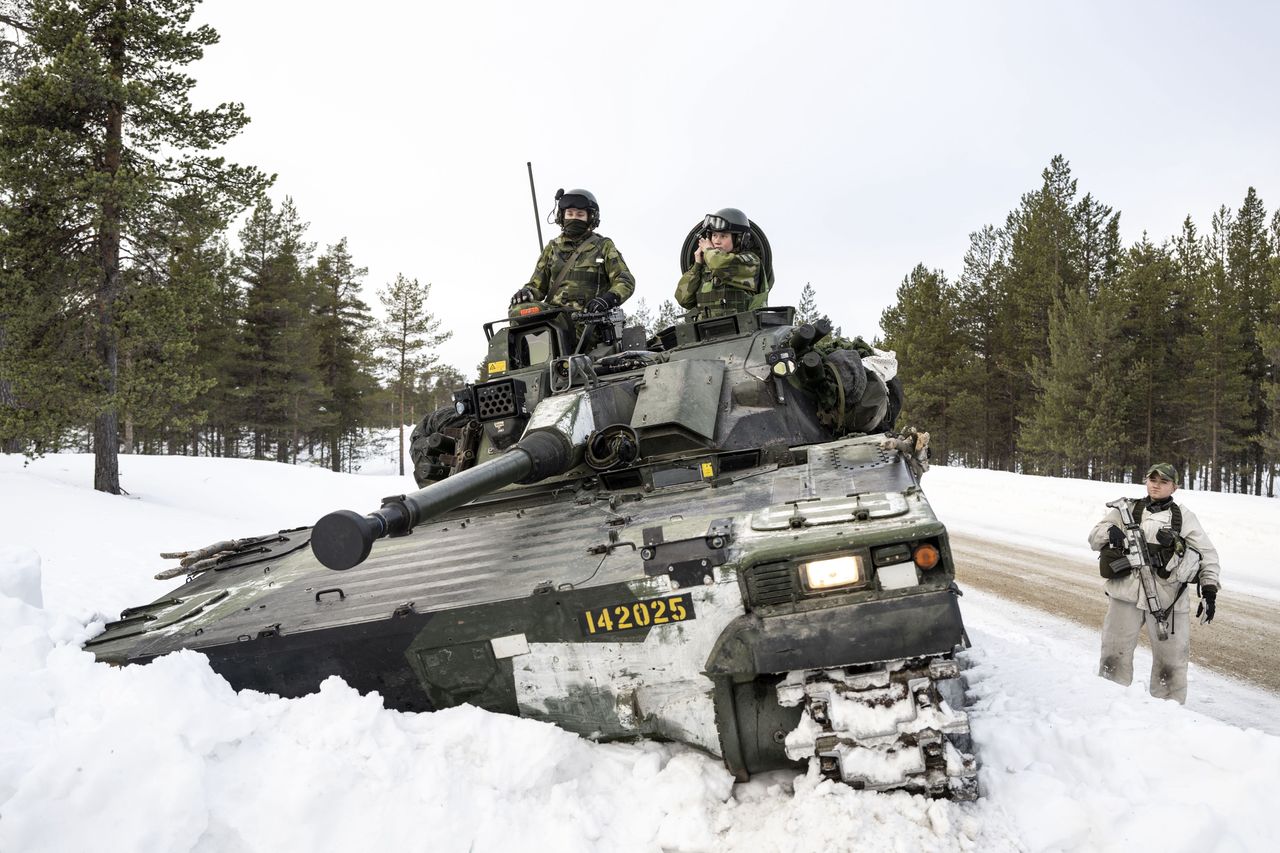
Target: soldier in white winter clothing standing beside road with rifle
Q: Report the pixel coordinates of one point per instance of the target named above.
(1186, 554)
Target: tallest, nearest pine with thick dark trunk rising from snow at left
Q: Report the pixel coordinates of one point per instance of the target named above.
(99, 139)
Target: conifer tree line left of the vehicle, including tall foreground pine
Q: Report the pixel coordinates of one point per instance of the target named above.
(129, 316)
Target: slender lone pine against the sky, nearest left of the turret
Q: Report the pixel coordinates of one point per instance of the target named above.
(408, 341)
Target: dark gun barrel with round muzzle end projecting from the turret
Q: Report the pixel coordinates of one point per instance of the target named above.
(344, 540)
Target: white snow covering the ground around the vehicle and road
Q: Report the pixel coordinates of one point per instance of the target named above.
(168, 758)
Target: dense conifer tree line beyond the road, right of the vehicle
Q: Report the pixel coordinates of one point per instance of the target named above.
(1059, 350)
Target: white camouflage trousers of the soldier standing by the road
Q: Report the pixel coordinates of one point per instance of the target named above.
(1121, 630)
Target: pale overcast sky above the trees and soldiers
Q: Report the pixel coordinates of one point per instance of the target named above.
(863, 139)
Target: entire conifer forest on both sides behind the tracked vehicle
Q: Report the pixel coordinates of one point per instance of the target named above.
(154, 299)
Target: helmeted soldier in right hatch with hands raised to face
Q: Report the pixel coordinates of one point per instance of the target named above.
(726, 276)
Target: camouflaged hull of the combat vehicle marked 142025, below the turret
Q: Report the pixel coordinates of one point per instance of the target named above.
(670, 613)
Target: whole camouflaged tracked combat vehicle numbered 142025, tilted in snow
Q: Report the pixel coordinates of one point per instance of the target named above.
(707, 537)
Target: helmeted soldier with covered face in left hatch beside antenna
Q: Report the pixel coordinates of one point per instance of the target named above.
(580, 270)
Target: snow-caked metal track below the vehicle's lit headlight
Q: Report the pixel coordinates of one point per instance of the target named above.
(898, 727)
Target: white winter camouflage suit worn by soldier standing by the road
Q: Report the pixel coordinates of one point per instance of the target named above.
(1127, 612)
